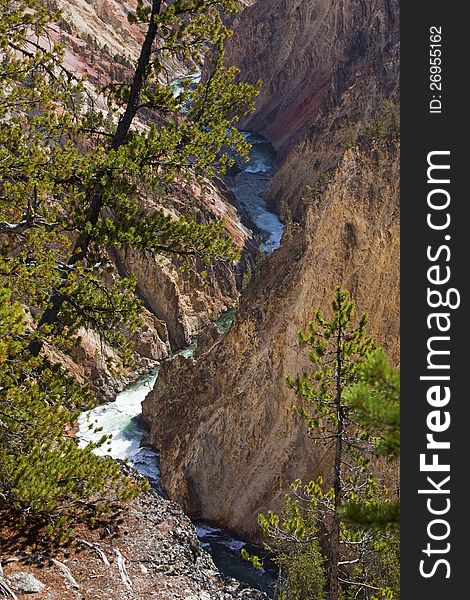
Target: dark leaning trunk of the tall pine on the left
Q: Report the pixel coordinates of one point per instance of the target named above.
(95, 203)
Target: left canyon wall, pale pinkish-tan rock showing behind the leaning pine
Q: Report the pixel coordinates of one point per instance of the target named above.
(99, 45)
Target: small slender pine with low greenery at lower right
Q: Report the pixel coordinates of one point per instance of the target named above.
(351, 379)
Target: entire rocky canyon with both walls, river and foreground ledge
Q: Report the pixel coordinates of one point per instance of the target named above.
(317, 207)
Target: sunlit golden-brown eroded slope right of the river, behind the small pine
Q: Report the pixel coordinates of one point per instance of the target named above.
(230, 444)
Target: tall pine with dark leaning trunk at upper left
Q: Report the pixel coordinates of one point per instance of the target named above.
(71, 188)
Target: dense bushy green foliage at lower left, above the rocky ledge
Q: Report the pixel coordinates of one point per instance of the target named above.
(44, 475)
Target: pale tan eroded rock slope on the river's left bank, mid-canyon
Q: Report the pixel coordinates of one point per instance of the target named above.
(176, 303)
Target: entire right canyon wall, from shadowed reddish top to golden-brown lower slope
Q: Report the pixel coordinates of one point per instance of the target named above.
(230, 444)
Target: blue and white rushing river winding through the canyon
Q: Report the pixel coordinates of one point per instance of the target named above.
(120, 419)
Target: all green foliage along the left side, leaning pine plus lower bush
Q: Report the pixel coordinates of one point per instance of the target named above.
(76, 184)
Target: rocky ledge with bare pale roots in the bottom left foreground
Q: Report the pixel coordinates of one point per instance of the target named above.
(149, 551)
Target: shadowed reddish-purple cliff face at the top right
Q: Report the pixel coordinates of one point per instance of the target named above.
(306, 52)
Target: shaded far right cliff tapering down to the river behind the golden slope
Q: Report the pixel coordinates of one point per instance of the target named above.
(326, 66)
